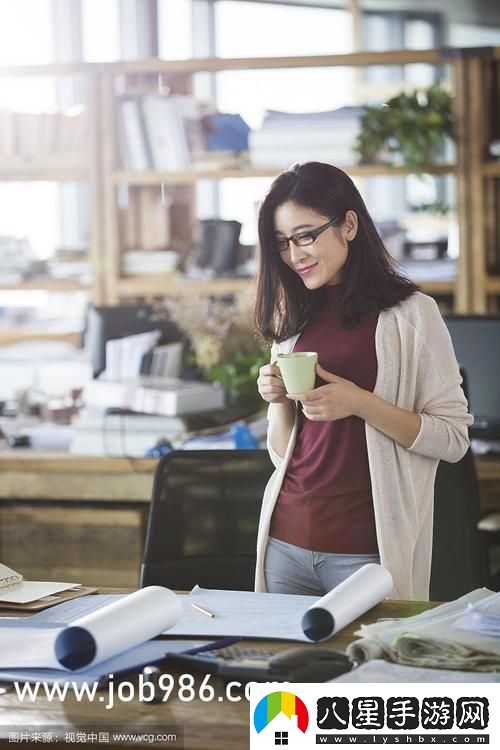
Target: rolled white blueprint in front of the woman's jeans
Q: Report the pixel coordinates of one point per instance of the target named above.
(357, 594)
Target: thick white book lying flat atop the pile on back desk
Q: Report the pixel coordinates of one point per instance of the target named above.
(167, 396)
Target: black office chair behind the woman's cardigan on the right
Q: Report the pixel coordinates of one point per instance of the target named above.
(459, 558)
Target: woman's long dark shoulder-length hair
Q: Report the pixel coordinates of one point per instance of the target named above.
(370, 281)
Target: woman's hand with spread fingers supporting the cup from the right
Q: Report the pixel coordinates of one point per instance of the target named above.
(335, 400)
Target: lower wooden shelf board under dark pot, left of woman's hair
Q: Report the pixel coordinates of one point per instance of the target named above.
(158, 286)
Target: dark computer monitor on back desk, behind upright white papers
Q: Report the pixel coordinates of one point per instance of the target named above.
(106, 323)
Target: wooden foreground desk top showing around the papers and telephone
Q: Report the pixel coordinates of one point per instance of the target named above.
(216, 725)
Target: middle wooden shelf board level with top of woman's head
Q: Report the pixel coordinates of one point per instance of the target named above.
(188, 177)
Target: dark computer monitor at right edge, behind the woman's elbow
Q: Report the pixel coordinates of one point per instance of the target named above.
(476, 340)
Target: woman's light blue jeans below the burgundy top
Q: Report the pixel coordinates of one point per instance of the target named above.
(294, 570)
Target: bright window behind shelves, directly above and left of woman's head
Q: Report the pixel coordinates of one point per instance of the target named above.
(260, 30)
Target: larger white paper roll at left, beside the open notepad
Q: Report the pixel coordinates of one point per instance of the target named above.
(113, 629)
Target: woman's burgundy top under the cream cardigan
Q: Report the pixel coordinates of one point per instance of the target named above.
(325, 502)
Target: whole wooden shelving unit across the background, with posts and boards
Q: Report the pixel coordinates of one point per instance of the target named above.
(475, 79)
